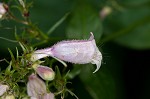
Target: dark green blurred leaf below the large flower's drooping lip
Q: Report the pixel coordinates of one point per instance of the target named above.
(100, 85)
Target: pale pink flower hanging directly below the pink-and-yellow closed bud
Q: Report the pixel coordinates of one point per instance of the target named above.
(35, 87)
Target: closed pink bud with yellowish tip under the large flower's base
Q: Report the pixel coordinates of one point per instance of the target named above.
(44, 72)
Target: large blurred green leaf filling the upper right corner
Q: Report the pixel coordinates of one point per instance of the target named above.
(131, 28)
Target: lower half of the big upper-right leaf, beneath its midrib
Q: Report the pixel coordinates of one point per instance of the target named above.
(138, 39)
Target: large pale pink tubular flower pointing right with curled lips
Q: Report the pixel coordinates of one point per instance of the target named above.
(73, 51)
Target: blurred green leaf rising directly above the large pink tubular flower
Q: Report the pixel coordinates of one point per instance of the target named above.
(84, 20)
